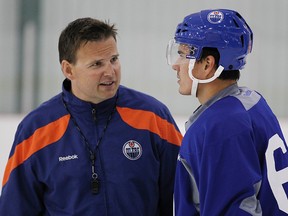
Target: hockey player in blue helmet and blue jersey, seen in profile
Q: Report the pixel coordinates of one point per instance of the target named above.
(233, 159)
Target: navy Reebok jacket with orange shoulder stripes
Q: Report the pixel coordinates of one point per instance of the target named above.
(49, 167)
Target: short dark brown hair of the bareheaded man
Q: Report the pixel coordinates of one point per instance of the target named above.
(81, 31)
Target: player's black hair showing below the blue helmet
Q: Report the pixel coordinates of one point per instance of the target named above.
(226, 74)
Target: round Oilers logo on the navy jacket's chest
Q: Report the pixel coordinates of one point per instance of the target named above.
(132, 150)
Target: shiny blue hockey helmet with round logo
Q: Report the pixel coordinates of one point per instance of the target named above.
(223, 29)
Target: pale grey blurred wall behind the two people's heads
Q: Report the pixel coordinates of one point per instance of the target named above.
(30, 70)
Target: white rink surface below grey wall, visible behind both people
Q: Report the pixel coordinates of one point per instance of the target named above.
(9, 123)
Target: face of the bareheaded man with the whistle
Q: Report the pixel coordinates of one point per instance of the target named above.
(96, 75)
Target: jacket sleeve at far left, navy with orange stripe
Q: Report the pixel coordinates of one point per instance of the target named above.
(22, 189)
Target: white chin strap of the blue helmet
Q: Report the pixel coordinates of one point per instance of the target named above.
(196, 81)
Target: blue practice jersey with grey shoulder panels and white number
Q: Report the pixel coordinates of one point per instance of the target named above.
(233, 159)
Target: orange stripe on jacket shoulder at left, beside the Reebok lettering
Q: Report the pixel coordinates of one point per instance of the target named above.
(41, 138)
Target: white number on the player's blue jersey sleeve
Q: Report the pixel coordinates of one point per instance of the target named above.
(277, 178)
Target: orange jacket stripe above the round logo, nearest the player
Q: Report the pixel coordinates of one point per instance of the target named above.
(147, 120)
